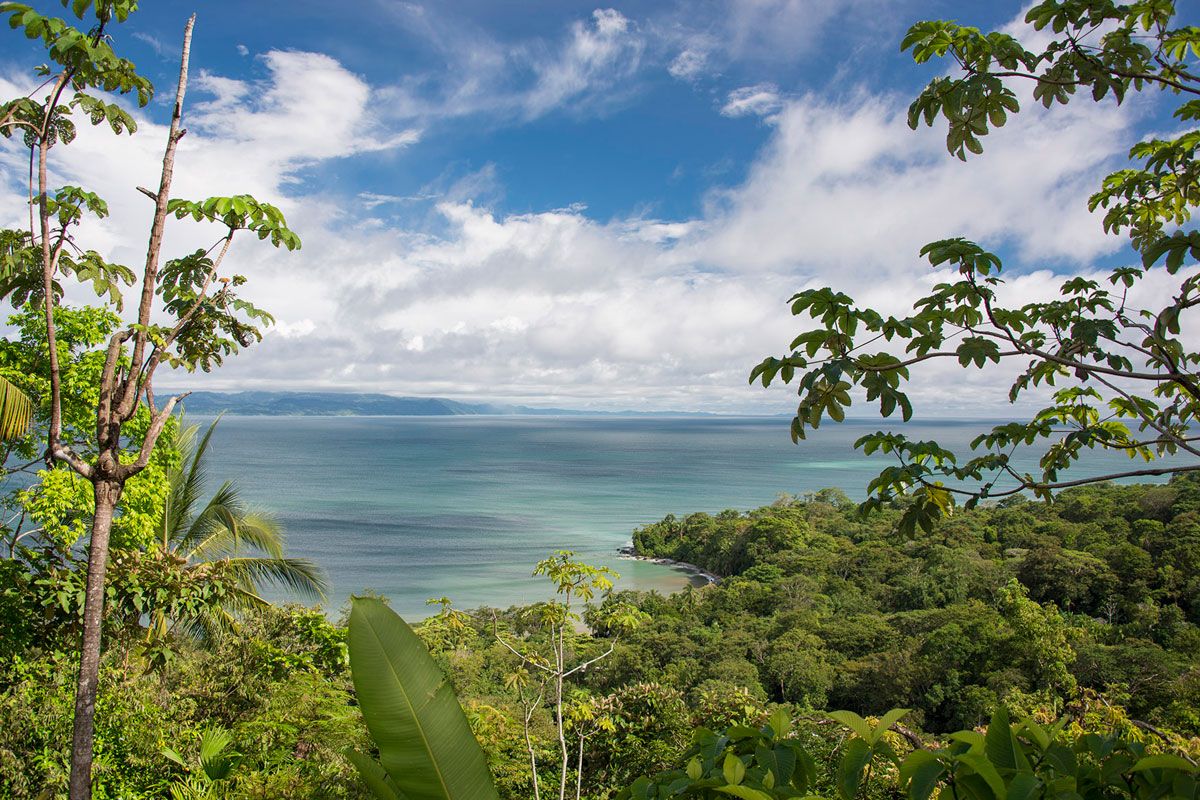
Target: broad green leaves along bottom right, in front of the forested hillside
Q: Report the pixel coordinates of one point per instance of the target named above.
(1005, 763)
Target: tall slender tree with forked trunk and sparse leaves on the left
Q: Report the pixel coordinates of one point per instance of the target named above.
(205, 318)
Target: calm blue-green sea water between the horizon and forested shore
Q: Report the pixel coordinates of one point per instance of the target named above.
(463, 507)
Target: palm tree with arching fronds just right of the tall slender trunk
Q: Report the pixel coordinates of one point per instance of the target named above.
(225, 536)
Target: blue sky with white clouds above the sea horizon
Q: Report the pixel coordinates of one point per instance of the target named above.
(571, 204)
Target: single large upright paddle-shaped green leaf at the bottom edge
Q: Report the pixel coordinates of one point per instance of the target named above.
(425, 742)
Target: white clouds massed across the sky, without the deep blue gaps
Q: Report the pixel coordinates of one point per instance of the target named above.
(557, 308)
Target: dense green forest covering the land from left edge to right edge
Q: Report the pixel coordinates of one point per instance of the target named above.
(1085, 609)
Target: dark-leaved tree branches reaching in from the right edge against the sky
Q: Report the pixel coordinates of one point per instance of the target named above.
(1123, 377)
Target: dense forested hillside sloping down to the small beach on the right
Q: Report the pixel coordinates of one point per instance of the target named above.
(1022, 603)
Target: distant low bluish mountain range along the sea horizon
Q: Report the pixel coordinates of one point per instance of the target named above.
(356, 405)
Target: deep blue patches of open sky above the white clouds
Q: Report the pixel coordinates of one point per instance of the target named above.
(640, 142)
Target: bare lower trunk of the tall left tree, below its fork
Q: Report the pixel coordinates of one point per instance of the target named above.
(107, 494)
